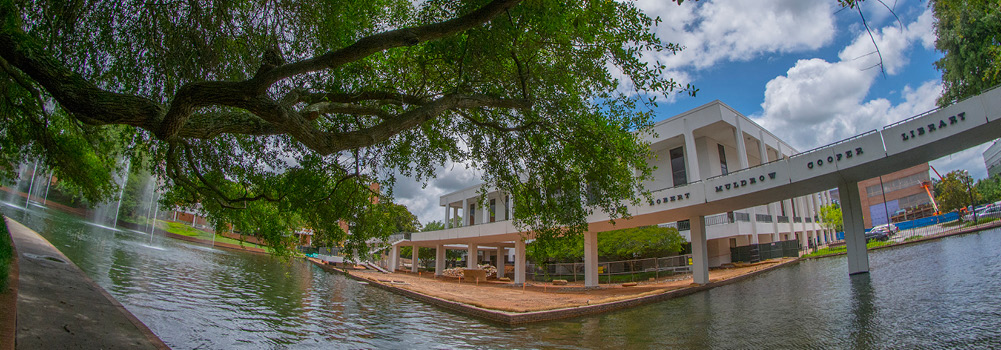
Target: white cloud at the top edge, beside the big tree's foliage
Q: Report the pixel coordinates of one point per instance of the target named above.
(740, 30)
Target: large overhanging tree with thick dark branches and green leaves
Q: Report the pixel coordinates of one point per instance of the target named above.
(279, 115)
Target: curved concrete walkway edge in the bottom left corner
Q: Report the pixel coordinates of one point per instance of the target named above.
(61, 307)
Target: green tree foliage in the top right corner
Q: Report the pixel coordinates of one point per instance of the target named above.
(969, 34)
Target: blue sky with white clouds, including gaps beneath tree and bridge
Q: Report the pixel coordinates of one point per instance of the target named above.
(808, 71)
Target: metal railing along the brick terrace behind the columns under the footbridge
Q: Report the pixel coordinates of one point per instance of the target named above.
(613, 271)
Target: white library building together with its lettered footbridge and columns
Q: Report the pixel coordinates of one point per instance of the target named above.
(766, 181)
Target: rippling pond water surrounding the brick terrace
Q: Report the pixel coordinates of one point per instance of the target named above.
(942, 294)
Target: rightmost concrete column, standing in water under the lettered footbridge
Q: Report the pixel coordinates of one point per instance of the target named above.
(855, 231)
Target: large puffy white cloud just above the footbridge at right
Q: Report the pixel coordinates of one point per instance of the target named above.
(819, 102)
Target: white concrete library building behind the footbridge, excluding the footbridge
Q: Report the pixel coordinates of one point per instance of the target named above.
(706, 142)
